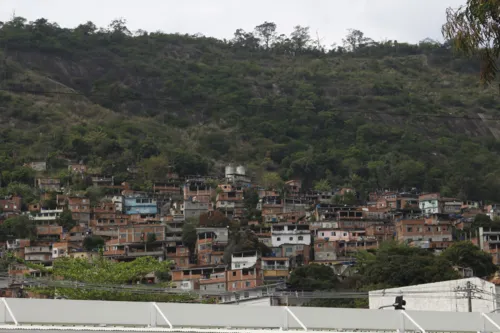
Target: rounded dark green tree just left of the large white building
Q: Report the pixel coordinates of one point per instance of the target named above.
(313, 277)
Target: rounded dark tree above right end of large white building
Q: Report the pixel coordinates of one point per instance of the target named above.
(466, 254)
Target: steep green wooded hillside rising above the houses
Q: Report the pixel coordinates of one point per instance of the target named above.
(375, 114)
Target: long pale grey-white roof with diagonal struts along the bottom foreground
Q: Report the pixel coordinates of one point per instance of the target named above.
(86, 316)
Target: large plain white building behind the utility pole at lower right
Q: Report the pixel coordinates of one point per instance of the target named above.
(440, 296)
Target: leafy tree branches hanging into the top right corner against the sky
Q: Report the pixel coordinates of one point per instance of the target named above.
(473, 29)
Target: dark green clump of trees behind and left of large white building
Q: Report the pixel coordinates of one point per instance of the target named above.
(393, 265)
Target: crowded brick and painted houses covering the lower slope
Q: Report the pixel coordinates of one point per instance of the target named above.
(208, 228)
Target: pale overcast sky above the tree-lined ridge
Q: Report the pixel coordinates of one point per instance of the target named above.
(402, 20)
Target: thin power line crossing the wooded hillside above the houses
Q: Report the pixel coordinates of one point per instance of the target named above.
(213, 103)
